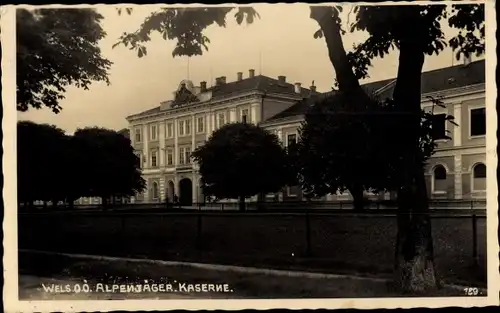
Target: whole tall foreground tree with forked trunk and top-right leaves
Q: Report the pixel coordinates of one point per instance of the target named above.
(416, 32)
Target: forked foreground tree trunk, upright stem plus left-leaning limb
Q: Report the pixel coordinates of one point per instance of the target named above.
(414, 262)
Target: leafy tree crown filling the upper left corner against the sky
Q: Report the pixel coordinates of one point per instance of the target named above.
(57, 48)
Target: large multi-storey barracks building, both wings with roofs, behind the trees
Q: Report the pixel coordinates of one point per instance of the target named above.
(164, 136)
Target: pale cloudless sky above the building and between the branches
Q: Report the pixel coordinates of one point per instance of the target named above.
(279, 43)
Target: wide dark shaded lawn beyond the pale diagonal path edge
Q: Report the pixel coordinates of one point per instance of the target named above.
(361, 244)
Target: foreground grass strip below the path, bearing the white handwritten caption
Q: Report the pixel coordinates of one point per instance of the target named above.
(242, 285)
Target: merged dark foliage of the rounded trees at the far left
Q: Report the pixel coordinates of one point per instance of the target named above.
(53, 166)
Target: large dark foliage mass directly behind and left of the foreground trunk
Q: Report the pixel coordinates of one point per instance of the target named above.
(334, 154)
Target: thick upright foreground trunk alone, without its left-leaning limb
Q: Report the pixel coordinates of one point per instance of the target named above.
(414, 262)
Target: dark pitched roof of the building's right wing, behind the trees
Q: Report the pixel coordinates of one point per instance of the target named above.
(432, 81)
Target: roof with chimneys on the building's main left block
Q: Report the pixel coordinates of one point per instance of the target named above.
(257, 83)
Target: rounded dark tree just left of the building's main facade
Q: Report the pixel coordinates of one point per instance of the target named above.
(110, 167)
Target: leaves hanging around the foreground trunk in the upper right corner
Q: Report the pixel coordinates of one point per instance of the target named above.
(386, 27)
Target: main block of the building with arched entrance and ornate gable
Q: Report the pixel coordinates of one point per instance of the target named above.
(165, 136)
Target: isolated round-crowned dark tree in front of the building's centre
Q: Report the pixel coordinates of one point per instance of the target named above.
(241, 160)
